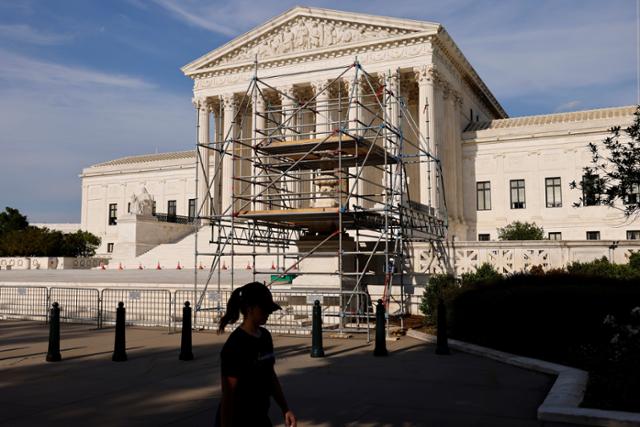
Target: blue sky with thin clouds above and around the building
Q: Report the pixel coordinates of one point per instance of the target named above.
(86, 81)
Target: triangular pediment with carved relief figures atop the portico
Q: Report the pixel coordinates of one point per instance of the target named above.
(305, 30)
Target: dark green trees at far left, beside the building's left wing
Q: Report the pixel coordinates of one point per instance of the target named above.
(18, 238)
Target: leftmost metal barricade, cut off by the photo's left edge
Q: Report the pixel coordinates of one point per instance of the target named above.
(24, 302)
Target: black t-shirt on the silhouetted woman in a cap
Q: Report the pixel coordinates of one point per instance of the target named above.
(250, 359)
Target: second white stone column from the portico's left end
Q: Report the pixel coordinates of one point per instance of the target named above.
(229, 134)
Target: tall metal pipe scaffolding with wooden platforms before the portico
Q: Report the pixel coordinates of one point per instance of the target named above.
(320, 176)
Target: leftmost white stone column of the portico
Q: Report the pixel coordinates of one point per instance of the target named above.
(203, 192)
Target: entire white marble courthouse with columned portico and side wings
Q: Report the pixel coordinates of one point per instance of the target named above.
(492, 170)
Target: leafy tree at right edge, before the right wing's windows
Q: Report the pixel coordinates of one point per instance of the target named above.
(613, 177)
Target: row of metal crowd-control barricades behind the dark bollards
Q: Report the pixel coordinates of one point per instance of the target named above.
(161, 308)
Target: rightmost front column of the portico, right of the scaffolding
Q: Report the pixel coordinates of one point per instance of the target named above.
(426, 76)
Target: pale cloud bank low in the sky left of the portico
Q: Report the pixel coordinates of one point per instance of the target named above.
(50, 132)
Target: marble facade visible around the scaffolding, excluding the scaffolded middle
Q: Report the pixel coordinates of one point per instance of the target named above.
(496, 169)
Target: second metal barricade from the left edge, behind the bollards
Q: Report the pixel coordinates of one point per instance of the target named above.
(77, 305)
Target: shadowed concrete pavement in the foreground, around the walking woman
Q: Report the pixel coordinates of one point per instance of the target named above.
(411, 387)
